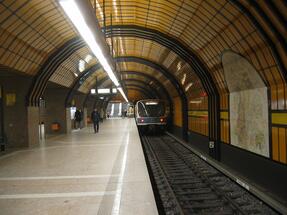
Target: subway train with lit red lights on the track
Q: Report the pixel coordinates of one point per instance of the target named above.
(151, 115)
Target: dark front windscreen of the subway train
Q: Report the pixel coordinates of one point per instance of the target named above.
(151, 109)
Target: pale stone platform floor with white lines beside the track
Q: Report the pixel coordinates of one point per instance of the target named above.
(80, 173)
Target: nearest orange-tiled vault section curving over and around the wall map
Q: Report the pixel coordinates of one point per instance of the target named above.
(230, 27)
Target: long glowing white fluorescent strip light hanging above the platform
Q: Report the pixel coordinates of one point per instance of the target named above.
(73, 12)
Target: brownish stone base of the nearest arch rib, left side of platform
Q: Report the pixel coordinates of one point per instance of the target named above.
(33, 116)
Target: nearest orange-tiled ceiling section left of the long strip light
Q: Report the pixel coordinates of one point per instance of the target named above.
(30, 31)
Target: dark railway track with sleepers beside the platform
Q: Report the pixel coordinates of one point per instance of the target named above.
(188, 185)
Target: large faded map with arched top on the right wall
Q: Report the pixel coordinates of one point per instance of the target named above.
(248, 105)
